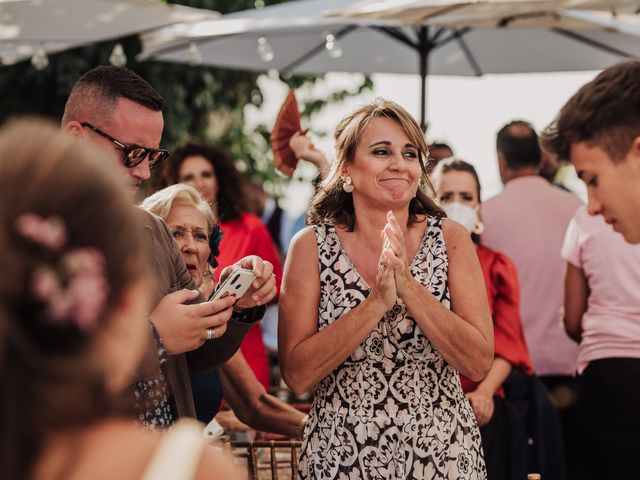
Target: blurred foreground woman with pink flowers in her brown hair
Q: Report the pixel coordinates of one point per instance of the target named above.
(73, 328)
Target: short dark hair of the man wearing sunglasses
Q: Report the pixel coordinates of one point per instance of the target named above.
(101, 87)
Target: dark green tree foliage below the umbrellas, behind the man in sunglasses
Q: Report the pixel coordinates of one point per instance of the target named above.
(201, 103)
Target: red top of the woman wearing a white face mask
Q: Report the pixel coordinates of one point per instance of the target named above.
(503, 290)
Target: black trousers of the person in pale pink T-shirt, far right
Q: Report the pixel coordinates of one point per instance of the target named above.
(608, 412)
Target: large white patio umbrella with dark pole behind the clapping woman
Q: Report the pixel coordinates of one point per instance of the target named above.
(299, 37)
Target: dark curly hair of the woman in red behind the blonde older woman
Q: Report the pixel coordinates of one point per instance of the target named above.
(231, 200)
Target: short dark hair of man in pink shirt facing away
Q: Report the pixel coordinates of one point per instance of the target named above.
(519, 150)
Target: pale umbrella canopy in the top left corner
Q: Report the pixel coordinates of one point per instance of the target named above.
(56, 25)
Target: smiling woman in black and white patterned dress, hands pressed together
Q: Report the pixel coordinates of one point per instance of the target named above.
(382, 304)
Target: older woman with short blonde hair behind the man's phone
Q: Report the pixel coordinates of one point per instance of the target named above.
(191, 221)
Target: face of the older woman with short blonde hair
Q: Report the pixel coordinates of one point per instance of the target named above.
(189, 228)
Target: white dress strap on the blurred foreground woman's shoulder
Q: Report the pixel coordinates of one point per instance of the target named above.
(178, 455)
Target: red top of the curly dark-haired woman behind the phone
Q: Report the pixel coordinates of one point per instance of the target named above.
(249, 236)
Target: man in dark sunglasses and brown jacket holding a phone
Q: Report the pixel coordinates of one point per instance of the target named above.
(118, 110)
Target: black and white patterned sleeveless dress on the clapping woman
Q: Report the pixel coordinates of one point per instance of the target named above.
(395, 408)
